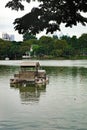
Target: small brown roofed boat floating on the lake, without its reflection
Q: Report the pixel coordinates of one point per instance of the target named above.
(31, 73)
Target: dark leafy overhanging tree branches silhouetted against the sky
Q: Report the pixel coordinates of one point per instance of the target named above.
(49, 15)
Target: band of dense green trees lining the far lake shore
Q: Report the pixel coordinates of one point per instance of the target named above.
(46, 47)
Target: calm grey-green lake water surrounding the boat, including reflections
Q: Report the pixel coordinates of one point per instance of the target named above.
(60, 105)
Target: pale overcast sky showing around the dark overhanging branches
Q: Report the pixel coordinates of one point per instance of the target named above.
(7, 17)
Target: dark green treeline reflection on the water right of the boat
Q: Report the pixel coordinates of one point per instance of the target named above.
(63, 71)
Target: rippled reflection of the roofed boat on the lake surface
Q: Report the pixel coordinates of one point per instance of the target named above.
(29, 93)
